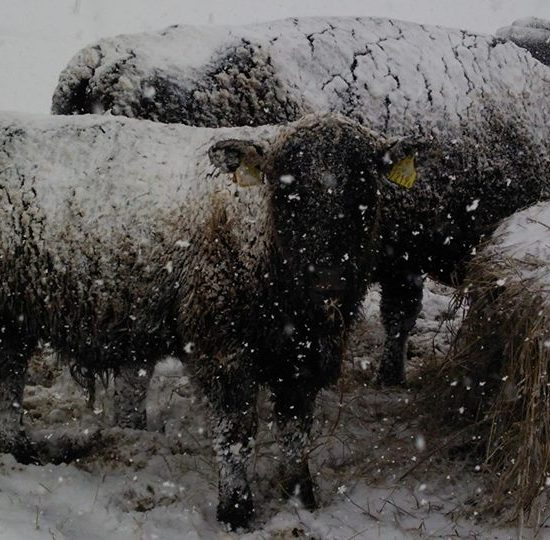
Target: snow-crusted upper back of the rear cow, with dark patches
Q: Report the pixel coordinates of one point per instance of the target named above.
(391, 75)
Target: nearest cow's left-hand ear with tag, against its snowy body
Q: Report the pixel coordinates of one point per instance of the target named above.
(243, 159)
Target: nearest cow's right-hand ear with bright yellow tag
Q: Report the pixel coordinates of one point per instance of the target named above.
(398, 160)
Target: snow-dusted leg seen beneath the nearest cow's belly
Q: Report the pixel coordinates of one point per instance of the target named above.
(131, 386)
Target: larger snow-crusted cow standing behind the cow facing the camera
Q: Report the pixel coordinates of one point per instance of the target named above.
(473, 93)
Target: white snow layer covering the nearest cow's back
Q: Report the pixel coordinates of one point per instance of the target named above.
(118, 172)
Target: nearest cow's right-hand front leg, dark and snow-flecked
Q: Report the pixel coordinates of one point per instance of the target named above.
(294, 405)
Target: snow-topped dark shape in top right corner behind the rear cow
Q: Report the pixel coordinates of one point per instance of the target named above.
(532, 34)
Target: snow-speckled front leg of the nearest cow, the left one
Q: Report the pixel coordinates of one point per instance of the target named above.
(234, 431)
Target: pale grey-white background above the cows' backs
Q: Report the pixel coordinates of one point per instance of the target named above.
(38, 37)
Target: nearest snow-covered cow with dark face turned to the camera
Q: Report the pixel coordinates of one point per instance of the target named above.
(120, 244)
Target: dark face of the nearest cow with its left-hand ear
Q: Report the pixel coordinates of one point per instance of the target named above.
(324, 177)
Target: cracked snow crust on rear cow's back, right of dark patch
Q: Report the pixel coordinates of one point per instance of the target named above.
(397, 75)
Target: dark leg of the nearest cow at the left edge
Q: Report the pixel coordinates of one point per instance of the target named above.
(13, 368)
